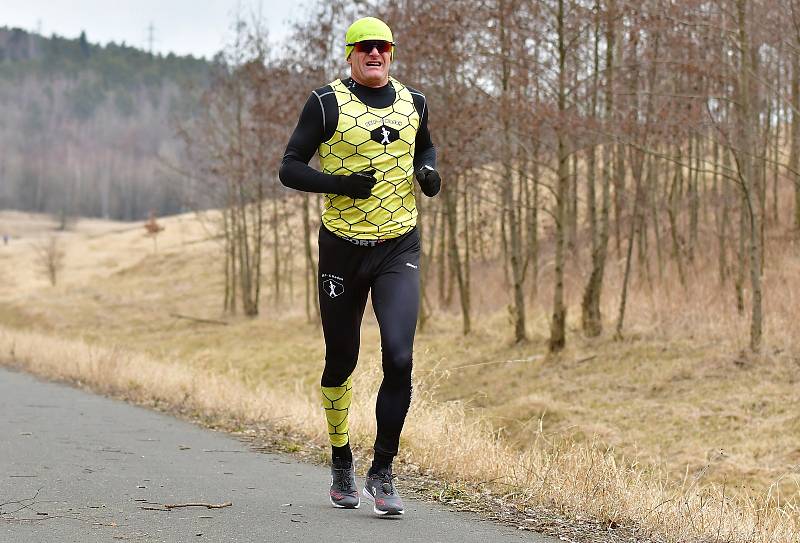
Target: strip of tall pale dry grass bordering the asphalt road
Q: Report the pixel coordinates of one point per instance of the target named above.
(578, 480)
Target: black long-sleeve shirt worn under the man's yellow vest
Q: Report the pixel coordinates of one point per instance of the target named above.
(317, 124)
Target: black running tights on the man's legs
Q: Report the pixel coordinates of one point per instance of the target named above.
(390, 271)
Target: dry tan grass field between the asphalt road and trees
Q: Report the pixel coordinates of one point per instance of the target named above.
(676, 429)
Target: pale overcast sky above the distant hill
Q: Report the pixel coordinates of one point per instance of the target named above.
(183, 27)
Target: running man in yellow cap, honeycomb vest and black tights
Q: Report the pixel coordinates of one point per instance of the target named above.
(371, 133)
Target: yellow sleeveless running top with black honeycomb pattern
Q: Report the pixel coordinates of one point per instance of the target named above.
(372, 138)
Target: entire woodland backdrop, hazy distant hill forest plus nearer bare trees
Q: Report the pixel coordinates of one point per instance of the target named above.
(660, 135)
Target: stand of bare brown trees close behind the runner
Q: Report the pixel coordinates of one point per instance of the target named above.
(655, 141)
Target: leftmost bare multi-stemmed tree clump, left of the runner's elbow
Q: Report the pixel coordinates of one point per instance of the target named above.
(231, 147)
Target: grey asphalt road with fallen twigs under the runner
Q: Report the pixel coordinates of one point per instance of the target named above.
(75, 467)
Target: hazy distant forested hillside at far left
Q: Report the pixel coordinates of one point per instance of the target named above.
(90, 130)
